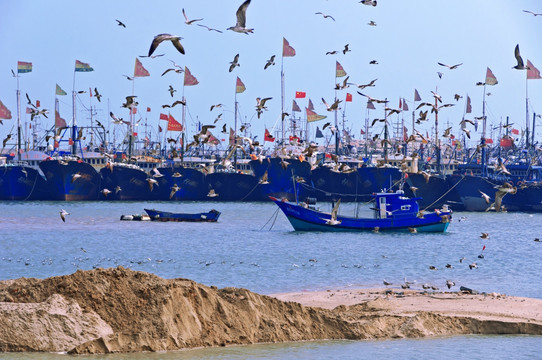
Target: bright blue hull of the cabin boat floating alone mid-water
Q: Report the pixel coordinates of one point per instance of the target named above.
(306, 219)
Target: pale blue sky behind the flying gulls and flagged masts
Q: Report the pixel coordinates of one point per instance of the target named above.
(408, 41)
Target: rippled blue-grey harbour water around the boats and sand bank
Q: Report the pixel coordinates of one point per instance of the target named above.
(236, 251)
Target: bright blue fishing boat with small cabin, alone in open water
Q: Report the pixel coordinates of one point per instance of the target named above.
(392, 212)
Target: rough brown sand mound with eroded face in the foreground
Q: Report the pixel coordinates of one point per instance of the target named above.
(120, 310)
